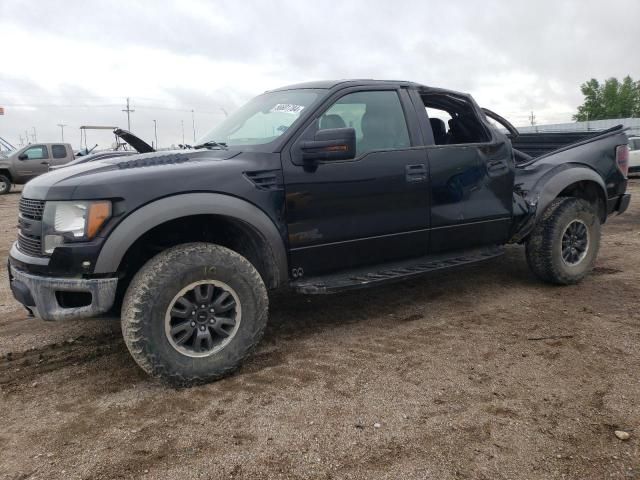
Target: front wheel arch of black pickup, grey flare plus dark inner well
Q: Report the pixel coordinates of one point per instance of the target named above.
(255, 227)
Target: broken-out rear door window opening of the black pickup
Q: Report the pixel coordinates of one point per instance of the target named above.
(453, 120)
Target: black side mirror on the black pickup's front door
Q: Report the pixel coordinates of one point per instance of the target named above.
(330, 144)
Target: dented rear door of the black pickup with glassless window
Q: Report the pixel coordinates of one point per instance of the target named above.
(471, 173)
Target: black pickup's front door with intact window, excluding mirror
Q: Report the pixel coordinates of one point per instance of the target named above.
(368, 210)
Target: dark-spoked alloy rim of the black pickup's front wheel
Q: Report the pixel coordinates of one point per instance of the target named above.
(203, 318)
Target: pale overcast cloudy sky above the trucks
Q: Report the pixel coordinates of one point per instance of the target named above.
(75, 62)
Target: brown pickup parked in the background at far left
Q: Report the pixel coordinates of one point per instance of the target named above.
(30, 161)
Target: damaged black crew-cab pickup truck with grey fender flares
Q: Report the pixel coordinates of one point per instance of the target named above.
(319, 187)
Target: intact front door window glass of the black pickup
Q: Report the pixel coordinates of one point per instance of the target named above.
(376, 116)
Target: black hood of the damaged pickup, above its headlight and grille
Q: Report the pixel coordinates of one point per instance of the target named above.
(112, 176)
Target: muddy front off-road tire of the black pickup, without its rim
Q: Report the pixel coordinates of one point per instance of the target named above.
(153, 289)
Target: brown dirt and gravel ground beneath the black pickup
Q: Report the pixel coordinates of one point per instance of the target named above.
(437, 378)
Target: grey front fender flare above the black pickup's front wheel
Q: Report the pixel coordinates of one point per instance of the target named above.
(184, 205)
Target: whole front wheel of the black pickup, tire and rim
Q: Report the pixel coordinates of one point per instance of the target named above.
(193, 313)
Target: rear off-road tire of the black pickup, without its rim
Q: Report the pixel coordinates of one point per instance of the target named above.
(544, 246)
